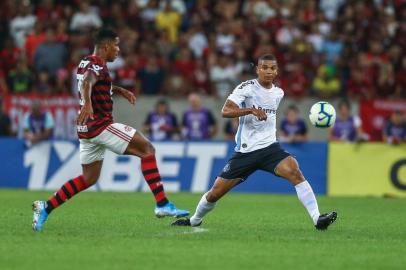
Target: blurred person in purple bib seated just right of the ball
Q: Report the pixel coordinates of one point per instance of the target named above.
(347, 127)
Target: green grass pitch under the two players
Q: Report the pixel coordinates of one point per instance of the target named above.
(245, 231)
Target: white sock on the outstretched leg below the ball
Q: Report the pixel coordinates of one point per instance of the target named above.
(306, 196)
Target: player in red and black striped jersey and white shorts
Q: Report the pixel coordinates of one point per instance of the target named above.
(97, 132)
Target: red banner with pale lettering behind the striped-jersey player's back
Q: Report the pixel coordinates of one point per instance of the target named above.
(64, 110)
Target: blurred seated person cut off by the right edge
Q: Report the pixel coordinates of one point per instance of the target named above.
(395, 129)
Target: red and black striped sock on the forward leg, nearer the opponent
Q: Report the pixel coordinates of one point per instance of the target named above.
(153, 178)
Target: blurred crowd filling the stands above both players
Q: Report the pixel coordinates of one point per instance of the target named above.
(325, 48)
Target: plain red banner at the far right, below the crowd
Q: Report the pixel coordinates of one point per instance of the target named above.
(375, 113)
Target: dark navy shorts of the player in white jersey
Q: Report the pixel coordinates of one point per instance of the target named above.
(242, 165)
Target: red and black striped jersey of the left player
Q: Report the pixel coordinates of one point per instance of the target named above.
(102, 102)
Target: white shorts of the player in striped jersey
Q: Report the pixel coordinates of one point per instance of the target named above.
(115, 137)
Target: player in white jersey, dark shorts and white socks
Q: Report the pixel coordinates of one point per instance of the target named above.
(255, 102)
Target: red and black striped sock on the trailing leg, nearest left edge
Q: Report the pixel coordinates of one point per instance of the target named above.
(68, 190)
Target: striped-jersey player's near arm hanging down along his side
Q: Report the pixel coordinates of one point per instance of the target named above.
(85, 88)
